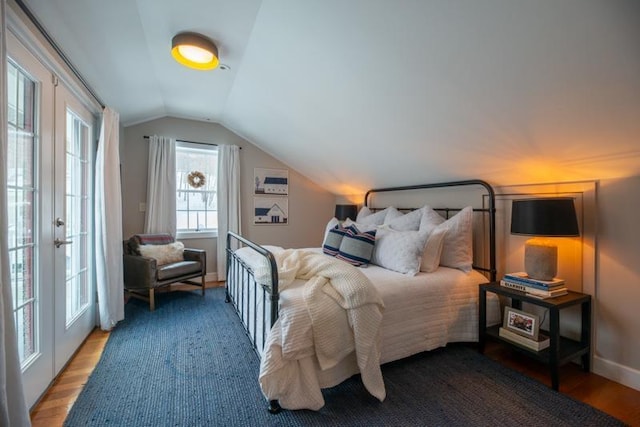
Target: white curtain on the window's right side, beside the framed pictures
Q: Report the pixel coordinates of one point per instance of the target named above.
(228, 201)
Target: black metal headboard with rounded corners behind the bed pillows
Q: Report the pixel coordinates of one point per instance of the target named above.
(448, 198)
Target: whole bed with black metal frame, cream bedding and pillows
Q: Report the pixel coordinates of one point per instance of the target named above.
(412, 311)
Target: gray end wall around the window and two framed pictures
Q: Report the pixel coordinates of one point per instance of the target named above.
(310, 206)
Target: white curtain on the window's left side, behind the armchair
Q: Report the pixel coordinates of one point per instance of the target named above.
(161, 186)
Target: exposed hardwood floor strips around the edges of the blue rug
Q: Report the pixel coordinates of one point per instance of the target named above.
(620, 401)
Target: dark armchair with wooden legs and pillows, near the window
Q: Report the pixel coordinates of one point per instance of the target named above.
(144, 274)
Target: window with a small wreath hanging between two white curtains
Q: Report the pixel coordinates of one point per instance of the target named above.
(196, 184)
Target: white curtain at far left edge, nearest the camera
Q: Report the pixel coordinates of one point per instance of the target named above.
(13, 407)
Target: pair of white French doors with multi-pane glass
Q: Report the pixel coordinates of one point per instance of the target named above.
(50, 160)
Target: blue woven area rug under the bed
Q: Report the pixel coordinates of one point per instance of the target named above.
(190, 364)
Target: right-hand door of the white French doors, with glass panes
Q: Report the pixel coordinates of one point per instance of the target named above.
(74, 296)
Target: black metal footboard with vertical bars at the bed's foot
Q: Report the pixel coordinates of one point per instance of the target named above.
(255, 303)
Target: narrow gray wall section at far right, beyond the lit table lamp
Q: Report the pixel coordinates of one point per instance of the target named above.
(618, 287)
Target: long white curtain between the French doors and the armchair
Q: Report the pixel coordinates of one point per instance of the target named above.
(108, 223)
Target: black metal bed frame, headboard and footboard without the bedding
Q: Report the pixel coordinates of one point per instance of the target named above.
(242, 287)
